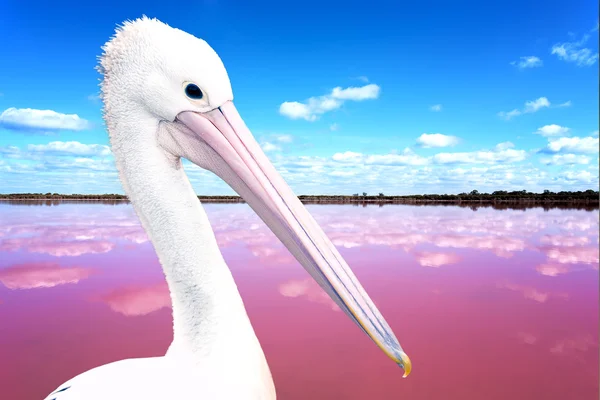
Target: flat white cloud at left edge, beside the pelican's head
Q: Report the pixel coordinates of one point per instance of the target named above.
(41, 120)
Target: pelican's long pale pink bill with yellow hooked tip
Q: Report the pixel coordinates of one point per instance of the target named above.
(248, 171)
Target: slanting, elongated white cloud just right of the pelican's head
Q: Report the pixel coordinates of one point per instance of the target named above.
(315, 106)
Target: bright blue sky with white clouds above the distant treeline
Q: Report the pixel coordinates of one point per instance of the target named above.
(345, 97)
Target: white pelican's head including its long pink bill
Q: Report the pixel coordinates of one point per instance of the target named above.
(173, 93)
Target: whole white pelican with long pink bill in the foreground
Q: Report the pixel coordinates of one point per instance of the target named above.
(167, 96)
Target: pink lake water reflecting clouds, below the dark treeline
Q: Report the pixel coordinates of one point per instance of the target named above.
(489, 304)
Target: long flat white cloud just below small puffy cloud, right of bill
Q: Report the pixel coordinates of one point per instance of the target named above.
(502, 153)
